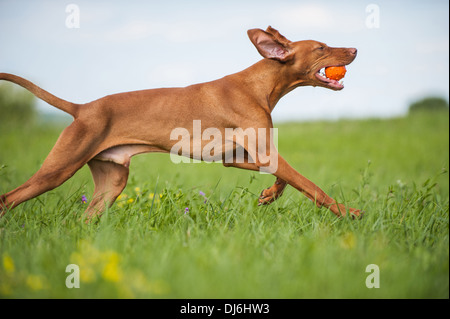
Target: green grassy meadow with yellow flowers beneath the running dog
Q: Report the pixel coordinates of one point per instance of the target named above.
(145, 246)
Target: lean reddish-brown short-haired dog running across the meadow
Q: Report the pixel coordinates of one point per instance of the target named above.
(106, 133)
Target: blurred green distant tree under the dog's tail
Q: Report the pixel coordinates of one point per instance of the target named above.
(16, 105)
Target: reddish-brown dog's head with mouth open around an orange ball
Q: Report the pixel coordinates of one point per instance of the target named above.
(304, 60)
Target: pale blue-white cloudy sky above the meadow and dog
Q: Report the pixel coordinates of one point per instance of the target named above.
(119, 46)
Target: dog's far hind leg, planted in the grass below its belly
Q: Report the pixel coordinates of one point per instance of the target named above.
(110, 179)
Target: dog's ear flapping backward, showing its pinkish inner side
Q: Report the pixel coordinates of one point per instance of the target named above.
(271, 44)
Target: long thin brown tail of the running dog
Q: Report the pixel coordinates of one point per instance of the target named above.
(61, 104)
